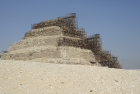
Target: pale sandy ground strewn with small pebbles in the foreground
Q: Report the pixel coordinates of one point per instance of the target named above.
(24, 77)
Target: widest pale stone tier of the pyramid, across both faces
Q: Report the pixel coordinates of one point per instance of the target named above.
(49, 52)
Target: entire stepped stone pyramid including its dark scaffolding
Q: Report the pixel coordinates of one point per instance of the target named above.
(60, 40)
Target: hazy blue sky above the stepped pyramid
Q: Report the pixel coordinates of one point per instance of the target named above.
(117, 22)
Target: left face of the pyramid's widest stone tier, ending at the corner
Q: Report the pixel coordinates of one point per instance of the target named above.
(31, 53)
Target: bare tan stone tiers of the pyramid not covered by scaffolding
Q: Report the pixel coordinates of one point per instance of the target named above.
(42, 45)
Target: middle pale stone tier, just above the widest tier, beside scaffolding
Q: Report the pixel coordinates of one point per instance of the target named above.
(37, 41)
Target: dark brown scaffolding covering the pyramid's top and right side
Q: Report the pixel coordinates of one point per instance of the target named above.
(70, 28)
